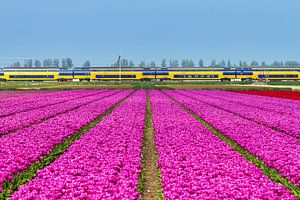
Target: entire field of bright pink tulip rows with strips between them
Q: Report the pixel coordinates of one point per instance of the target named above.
(207, 144)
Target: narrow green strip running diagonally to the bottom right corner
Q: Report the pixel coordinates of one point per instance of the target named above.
(272, 173)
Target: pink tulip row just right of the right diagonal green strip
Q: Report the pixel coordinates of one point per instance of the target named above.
(276, 149)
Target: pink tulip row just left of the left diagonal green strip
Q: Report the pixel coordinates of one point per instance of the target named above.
(20, 149)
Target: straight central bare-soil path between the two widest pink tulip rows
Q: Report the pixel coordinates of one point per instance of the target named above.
(150, 179)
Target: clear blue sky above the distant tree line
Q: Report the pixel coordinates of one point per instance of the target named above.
(99, 30)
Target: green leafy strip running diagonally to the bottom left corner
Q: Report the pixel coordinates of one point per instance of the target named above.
(9, 187)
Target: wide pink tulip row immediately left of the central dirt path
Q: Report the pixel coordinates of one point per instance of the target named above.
(104, 164)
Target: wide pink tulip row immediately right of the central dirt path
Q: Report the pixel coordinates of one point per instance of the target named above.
(196, 164)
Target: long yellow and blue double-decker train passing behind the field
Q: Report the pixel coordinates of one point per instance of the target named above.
(146, 74)
